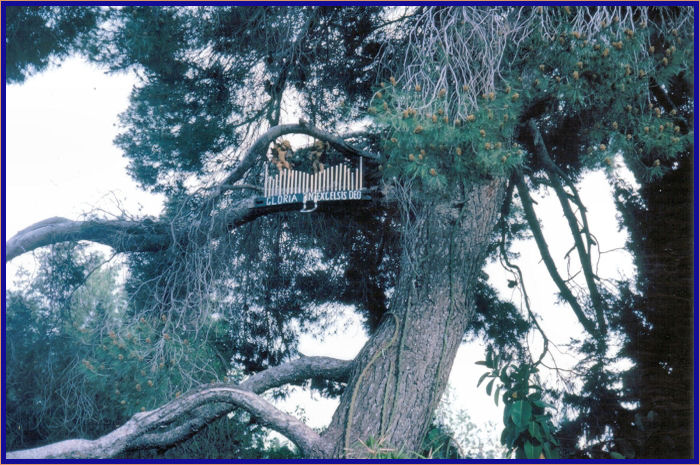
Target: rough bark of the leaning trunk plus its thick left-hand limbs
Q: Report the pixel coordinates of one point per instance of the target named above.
(398, 377)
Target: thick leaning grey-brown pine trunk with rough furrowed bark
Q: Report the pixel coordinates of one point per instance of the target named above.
(402, 371)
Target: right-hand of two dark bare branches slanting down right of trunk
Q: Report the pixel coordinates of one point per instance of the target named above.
(584, 256)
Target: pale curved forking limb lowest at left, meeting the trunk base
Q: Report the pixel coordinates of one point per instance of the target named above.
(160, 427)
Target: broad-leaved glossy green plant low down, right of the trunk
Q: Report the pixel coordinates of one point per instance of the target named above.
(528, 431)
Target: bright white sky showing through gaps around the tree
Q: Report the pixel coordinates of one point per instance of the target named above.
(61, 162)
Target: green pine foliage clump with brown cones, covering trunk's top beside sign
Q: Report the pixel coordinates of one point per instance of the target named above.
(436, 148)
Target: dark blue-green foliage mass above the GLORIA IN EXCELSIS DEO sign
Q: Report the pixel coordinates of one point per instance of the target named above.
(212, 74)
